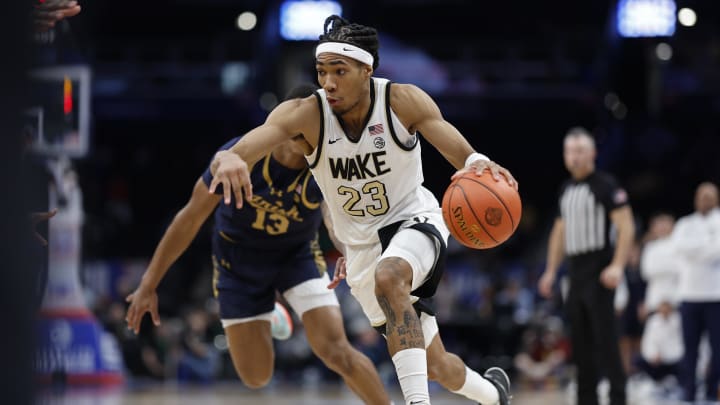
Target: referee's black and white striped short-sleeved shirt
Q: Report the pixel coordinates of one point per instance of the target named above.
(585, 208)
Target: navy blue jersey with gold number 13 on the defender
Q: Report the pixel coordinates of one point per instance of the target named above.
(284, 211)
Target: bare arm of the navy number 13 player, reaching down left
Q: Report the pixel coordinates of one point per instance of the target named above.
(177, 238)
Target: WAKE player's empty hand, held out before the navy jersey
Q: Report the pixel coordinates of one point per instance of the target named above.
(233, 174)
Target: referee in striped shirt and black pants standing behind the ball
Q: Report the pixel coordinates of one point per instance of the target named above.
(595, 230)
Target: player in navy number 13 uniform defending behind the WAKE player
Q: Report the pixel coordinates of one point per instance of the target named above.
(267, 246)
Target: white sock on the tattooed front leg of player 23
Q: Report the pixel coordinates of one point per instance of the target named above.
(411, 368)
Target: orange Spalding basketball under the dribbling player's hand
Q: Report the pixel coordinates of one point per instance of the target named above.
(480, 212)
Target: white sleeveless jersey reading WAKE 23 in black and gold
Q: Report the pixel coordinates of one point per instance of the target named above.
(373, 181)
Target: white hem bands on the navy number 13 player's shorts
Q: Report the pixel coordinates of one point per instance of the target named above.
(303, 297)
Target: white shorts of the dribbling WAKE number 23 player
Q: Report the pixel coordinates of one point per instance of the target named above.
(418, 249)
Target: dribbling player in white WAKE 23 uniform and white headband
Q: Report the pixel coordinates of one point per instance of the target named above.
(362, 144)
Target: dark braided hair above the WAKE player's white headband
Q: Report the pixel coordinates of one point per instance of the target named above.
(361, 36)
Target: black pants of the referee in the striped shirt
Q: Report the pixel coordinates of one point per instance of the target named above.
(593, 330)
